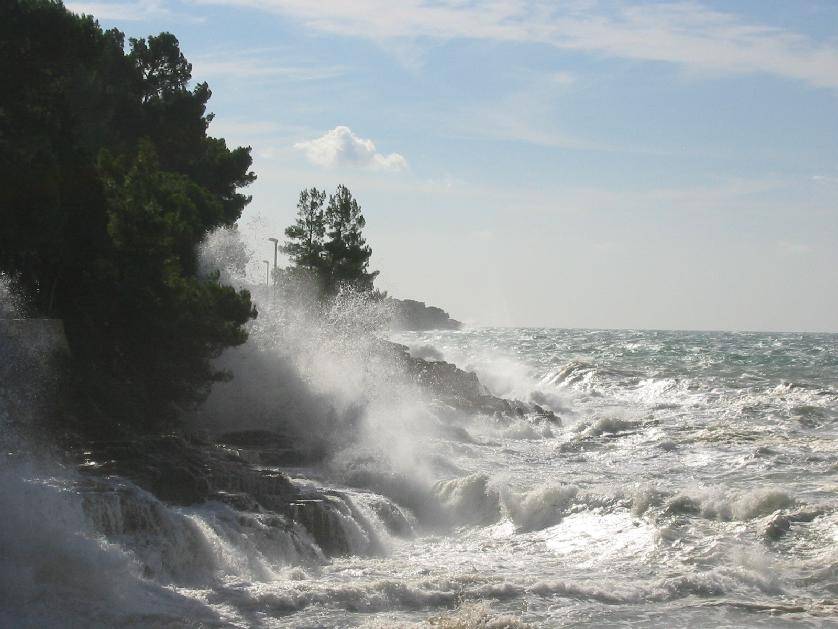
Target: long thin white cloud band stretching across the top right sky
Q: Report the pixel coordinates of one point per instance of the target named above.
(684, 33)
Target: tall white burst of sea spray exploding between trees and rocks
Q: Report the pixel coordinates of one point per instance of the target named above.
(319, 372)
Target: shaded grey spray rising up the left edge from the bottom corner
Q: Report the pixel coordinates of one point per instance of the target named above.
(55, 566)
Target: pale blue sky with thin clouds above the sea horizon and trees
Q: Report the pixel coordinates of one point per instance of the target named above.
(586, 163)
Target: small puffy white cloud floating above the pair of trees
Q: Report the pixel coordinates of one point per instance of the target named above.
(340, 147)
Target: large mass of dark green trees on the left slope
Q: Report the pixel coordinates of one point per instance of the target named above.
(108, 181)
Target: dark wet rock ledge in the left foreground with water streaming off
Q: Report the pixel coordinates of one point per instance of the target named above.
(190, 471)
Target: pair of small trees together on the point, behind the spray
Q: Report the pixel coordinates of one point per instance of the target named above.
(326, 242)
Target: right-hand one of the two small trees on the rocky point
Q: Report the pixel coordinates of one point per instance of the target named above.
(347, 253)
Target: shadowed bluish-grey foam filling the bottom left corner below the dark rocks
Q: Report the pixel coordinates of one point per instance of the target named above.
(56, 569)
